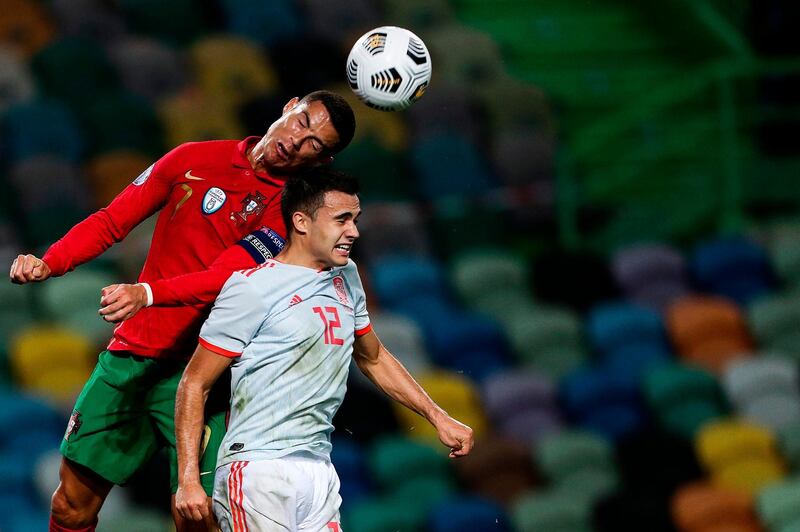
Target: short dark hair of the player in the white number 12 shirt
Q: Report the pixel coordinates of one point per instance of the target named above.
(305, 191)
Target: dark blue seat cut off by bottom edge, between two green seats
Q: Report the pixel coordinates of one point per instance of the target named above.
(468, 514)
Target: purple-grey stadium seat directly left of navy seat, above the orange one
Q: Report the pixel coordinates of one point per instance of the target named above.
(653, 275)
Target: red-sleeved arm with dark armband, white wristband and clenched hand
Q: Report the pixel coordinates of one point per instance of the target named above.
(120, 302)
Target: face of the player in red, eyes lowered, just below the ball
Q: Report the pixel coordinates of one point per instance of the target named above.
(303, 136)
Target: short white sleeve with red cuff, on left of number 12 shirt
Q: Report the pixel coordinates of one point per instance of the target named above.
(235, 318)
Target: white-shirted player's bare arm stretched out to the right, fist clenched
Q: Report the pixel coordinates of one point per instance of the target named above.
(388, 374)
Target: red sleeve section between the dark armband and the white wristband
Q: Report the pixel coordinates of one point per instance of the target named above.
(201, 288)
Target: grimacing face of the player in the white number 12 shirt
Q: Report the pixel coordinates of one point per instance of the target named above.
(333, 231)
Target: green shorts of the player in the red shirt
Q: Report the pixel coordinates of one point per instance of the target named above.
(126, 412)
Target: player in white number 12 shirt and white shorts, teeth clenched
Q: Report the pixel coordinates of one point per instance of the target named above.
(287, 330)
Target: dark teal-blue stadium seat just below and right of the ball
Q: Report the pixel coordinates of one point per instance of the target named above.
(448, 165)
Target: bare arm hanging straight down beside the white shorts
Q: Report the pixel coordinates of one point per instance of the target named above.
(201, 373)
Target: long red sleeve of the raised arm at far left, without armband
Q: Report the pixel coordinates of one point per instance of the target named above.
(91, 237)
